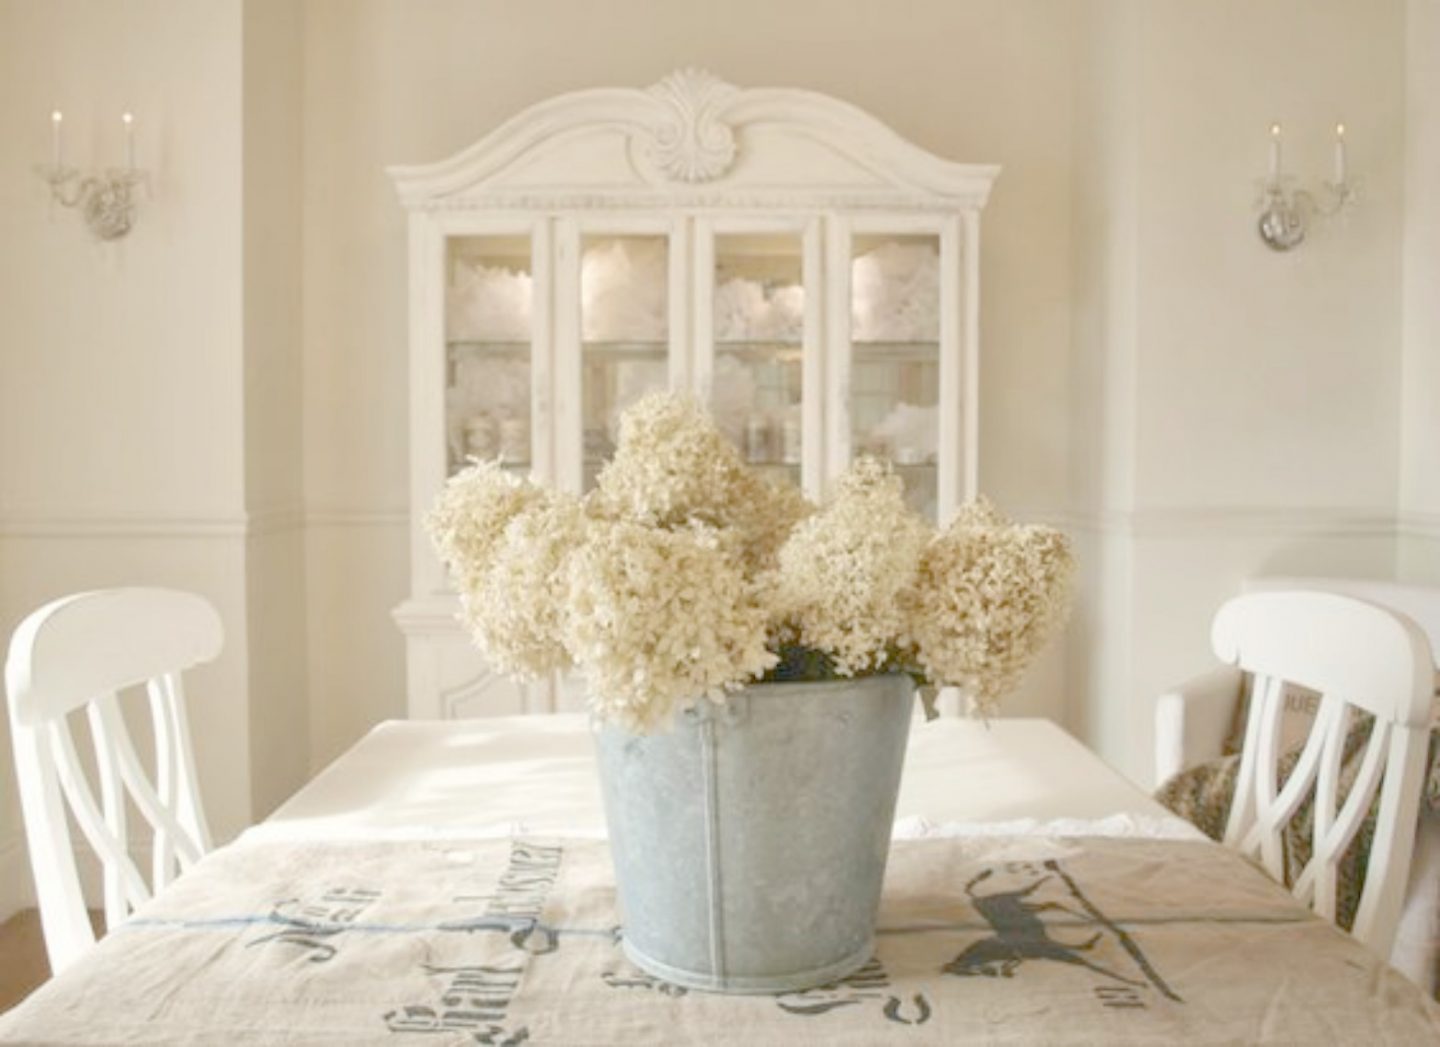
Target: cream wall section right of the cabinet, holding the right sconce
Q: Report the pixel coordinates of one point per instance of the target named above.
(1236, 408)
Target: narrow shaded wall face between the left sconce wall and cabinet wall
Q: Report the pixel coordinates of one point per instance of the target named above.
(273, 148)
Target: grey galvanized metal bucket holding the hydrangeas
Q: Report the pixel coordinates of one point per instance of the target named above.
(751, 840)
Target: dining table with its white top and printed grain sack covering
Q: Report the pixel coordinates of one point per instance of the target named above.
(450, 884)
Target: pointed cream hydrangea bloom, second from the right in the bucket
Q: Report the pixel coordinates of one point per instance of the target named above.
(843, 571)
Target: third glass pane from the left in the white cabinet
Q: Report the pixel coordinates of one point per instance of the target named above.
(760, 348)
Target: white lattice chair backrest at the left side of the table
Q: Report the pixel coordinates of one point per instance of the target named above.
(80, 653)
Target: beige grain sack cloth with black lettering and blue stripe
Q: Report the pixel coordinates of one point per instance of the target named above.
(983, 940)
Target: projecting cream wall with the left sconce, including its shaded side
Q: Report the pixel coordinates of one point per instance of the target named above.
(149, 430)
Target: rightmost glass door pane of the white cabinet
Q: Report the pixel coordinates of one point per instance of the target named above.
(895, 378)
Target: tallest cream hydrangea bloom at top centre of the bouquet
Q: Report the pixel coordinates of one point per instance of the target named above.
(673, 466)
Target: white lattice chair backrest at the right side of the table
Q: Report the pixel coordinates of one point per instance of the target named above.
(1357, 656)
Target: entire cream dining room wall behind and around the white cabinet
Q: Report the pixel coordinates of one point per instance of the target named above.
(220, 403)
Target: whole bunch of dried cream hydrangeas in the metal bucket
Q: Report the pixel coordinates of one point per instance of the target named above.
(666, 585)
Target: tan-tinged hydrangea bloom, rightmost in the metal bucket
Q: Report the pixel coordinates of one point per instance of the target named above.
(987, 598)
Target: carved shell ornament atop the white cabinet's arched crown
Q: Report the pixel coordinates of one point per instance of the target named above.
(690, 143)
